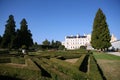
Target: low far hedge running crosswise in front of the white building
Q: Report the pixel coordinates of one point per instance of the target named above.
(66, 54)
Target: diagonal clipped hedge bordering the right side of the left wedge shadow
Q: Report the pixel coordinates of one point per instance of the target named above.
(55, 74)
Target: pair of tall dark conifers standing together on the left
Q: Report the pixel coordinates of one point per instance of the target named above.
(14, 39)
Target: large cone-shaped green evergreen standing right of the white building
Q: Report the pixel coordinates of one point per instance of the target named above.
(100, 38)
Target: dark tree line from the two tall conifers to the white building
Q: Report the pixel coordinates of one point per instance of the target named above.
(22, 38)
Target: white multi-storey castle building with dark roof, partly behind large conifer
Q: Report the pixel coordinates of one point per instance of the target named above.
(74, 42)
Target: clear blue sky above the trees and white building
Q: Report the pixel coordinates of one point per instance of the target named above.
(55, 19)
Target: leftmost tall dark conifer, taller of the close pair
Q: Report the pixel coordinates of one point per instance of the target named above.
(9, 33)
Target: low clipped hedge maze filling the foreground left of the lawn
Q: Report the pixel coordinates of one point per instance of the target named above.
(50, 66)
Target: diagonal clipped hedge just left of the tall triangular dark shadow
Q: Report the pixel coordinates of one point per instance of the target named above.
(68, 69)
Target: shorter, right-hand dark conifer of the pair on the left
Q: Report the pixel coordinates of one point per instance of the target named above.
(24, 35)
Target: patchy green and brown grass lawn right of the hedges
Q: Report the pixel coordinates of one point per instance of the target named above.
(110, 65)
